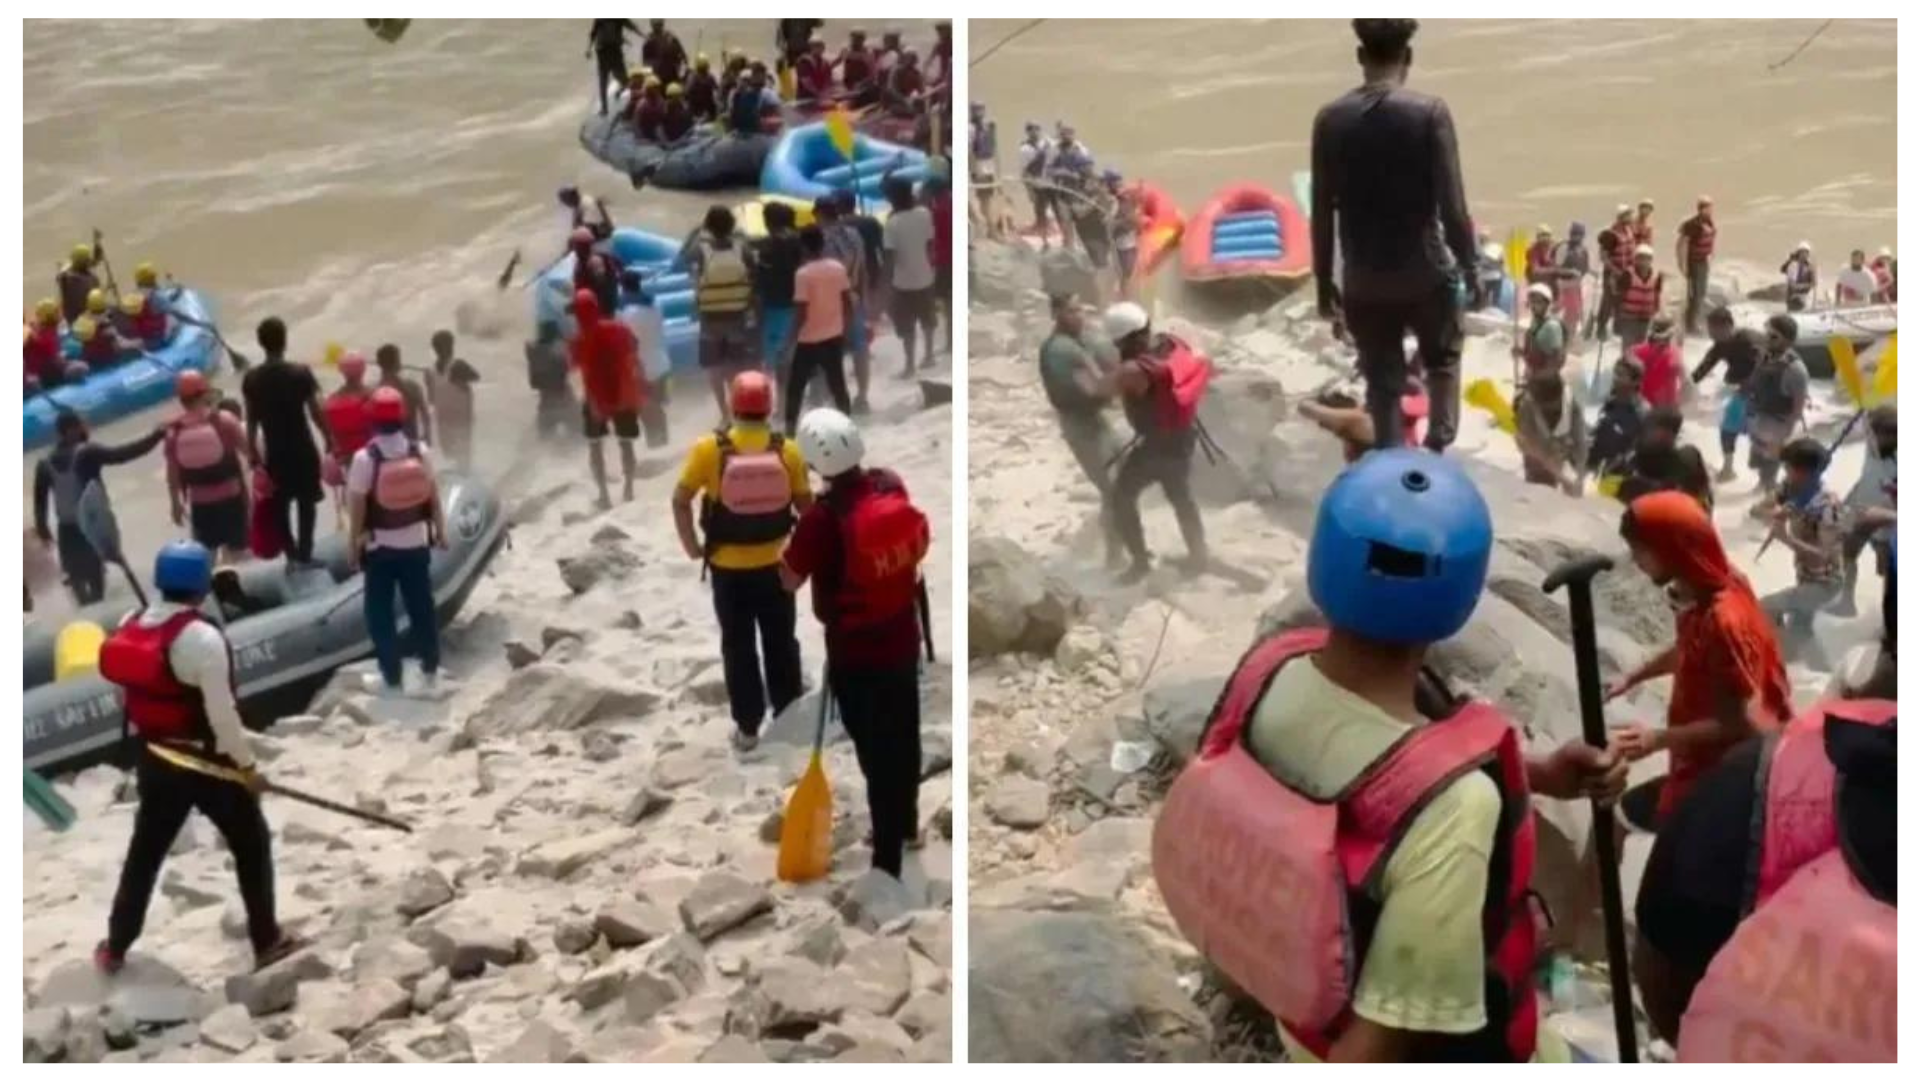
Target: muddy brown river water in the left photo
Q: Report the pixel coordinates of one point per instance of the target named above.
(362, 191)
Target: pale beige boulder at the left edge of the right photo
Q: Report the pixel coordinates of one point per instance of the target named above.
(1013, 602)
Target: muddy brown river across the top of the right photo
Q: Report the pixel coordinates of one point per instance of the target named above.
(1558, 120)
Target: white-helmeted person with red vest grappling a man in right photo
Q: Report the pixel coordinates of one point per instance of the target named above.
(1161, 385)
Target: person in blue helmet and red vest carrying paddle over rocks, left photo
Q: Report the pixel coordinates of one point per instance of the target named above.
(176, 674)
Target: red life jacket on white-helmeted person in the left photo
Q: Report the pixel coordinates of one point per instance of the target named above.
(884, 539)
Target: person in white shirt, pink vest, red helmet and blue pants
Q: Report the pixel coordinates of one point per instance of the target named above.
(395, 520)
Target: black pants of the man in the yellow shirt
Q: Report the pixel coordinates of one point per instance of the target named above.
(757, 620)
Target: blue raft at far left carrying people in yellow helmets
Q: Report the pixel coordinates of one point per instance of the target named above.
(132, 385)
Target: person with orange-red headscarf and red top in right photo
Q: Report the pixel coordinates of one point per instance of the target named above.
(1729, 677)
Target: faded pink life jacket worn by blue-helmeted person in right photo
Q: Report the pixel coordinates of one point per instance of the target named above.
(1270, 883)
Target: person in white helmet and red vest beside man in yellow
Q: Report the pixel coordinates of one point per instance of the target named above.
(863, 545)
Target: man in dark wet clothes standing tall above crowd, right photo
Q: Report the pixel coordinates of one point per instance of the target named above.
(1387, 180)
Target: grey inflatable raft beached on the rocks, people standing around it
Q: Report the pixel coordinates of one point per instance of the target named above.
(289, 635)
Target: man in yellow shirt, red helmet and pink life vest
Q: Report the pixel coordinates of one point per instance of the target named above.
(752, 485)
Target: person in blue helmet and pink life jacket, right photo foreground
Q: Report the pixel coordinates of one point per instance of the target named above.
(1349, 714)
